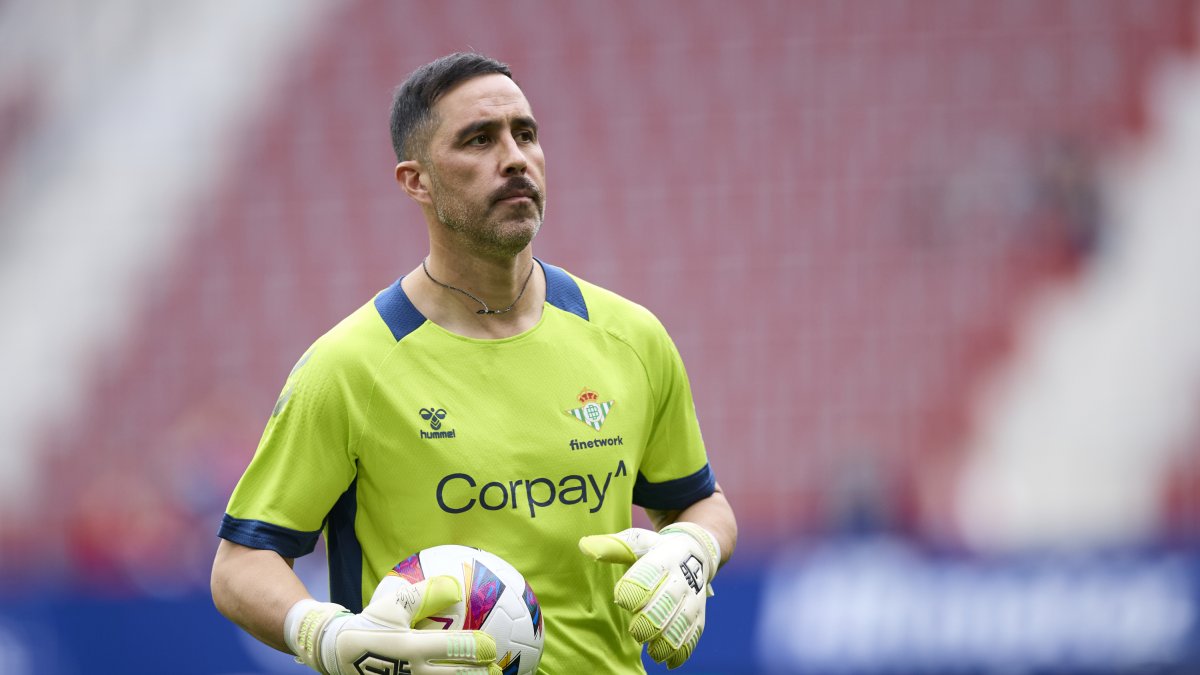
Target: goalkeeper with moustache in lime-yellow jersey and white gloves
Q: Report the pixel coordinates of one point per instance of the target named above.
(487, 399)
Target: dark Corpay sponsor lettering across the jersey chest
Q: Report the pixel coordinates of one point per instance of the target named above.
(463, 493)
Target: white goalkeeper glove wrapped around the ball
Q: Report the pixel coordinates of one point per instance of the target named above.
(382, 640)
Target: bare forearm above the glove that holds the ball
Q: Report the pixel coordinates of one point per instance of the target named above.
(255, 589)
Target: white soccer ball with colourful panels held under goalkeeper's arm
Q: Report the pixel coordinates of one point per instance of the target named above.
(496, 600)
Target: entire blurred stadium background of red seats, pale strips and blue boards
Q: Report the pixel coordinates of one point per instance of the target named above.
(932, 265)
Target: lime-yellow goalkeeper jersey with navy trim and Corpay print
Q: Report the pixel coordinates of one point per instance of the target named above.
(394, 435)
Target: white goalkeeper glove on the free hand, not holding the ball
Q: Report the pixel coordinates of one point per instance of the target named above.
(667, 587)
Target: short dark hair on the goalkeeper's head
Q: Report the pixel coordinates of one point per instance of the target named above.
(412, 106)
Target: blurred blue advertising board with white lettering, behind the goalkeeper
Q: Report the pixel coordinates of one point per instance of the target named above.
(832, 606)
